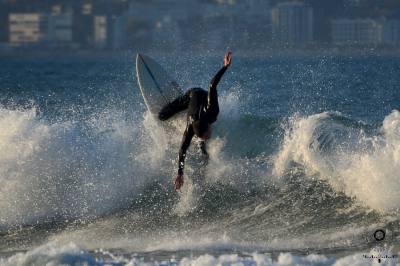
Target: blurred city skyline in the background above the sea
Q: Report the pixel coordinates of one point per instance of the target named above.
(181, 25)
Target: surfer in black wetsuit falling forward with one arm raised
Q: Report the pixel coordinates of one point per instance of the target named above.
(203, 110)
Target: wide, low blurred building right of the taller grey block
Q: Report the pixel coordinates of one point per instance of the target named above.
(361, 32)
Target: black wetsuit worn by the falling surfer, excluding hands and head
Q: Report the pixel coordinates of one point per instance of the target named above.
(201, 105)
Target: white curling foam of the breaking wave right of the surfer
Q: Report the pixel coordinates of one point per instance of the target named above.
(367, 169)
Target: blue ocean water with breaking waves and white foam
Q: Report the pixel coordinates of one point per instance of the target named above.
(304, 164)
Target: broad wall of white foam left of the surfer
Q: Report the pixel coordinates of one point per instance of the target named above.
(70, 169)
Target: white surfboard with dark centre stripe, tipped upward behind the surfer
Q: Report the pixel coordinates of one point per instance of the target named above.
(156, 86)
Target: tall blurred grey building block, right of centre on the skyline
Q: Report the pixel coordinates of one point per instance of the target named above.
(292, 24)
